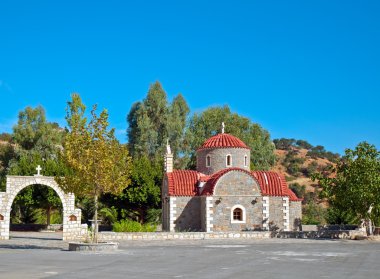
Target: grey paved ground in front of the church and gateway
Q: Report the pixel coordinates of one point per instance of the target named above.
(43, 255)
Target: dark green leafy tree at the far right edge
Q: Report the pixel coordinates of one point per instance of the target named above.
(355, 188)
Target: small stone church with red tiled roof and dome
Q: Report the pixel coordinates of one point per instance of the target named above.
(223, 194)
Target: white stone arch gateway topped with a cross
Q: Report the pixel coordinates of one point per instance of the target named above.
(72, 227)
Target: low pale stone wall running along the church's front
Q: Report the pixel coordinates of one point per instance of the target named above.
(107, 236)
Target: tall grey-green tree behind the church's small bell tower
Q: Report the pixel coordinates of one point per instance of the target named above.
(154, 121)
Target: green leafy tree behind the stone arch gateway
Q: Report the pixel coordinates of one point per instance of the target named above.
(34, 142)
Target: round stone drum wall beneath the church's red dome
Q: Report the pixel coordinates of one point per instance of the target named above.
(218, 159)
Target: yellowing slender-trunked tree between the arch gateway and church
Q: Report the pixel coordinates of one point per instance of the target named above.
(97, 162)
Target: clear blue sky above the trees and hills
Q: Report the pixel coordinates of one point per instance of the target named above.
(302, 69)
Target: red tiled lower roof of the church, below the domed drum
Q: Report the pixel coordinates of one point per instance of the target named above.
(185, 183)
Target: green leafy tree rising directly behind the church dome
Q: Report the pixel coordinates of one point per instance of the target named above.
(208, 123)
